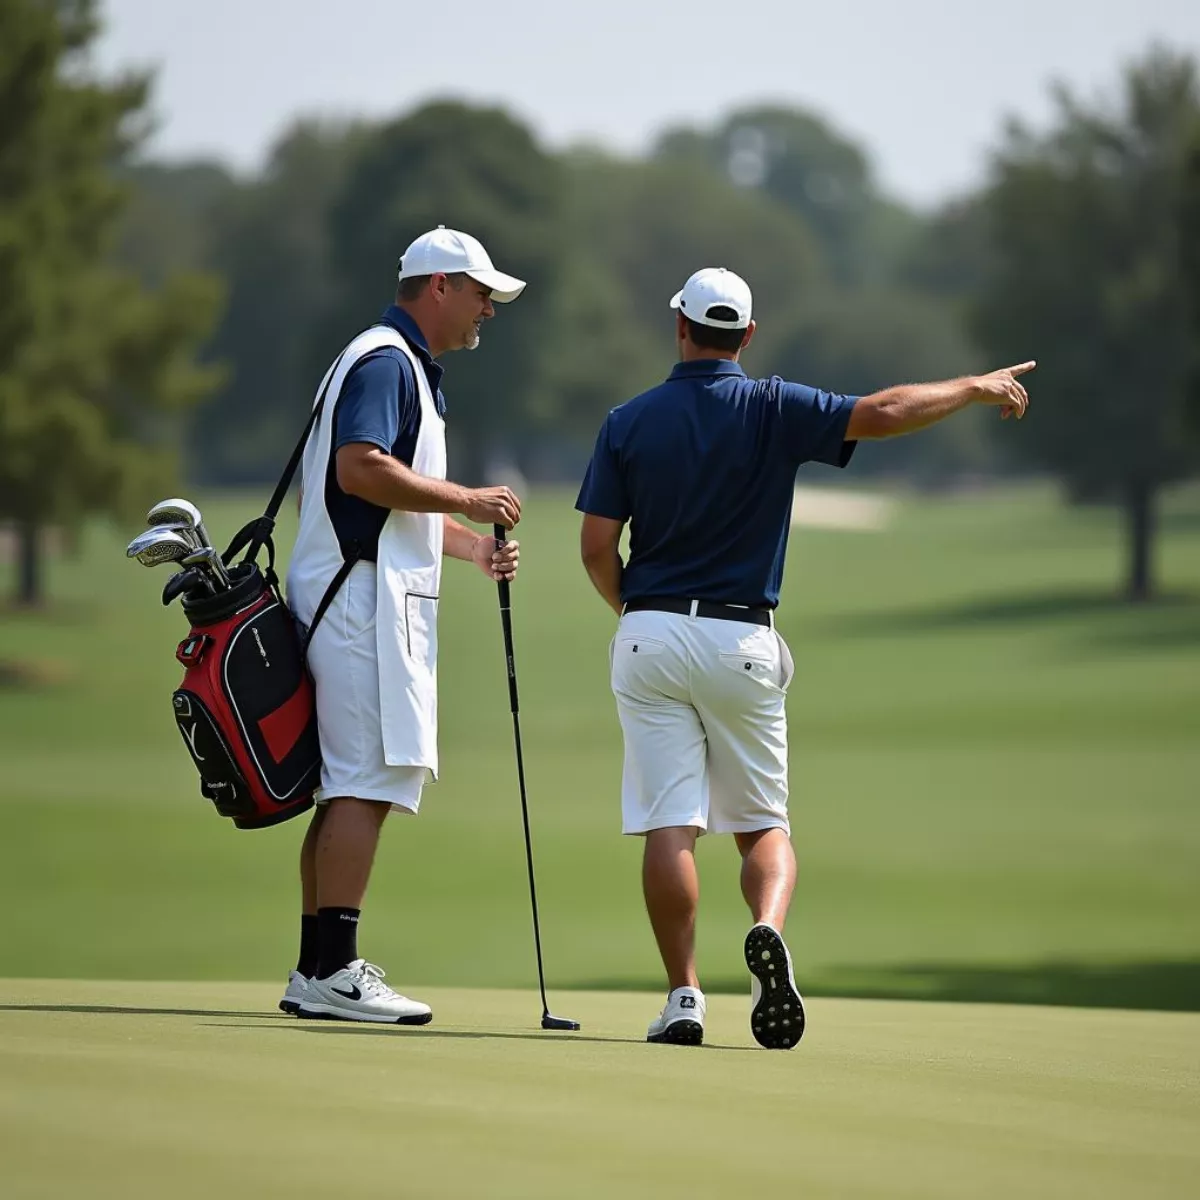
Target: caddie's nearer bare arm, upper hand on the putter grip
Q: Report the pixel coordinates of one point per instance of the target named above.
(375, 476)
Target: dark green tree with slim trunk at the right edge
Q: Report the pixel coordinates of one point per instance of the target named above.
(1085, 275)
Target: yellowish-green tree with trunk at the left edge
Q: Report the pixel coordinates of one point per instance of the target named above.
(89, 362)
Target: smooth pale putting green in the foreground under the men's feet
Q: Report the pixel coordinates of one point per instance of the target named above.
(199, 1090)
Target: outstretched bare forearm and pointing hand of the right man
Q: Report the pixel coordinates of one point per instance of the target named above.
(911, 407)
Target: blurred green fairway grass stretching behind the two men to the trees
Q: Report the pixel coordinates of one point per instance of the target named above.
(995, 778)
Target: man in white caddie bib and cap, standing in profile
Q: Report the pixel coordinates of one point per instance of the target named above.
(376, 495)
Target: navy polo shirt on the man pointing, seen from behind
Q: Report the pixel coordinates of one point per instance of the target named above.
(704, 469)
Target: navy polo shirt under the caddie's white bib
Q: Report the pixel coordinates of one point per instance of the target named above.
(379, 405)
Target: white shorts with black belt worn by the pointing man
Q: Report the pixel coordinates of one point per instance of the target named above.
(701, 706)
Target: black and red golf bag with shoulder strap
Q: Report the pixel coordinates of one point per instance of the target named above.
(247, 709)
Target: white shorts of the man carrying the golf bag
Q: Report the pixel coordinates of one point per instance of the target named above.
(345, 668)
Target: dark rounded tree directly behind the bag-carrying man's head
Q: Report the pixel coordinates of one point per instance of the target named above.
(470, 169)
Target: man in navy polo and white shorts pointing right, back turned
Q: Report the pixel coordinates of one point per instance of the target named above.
(703, 469)
